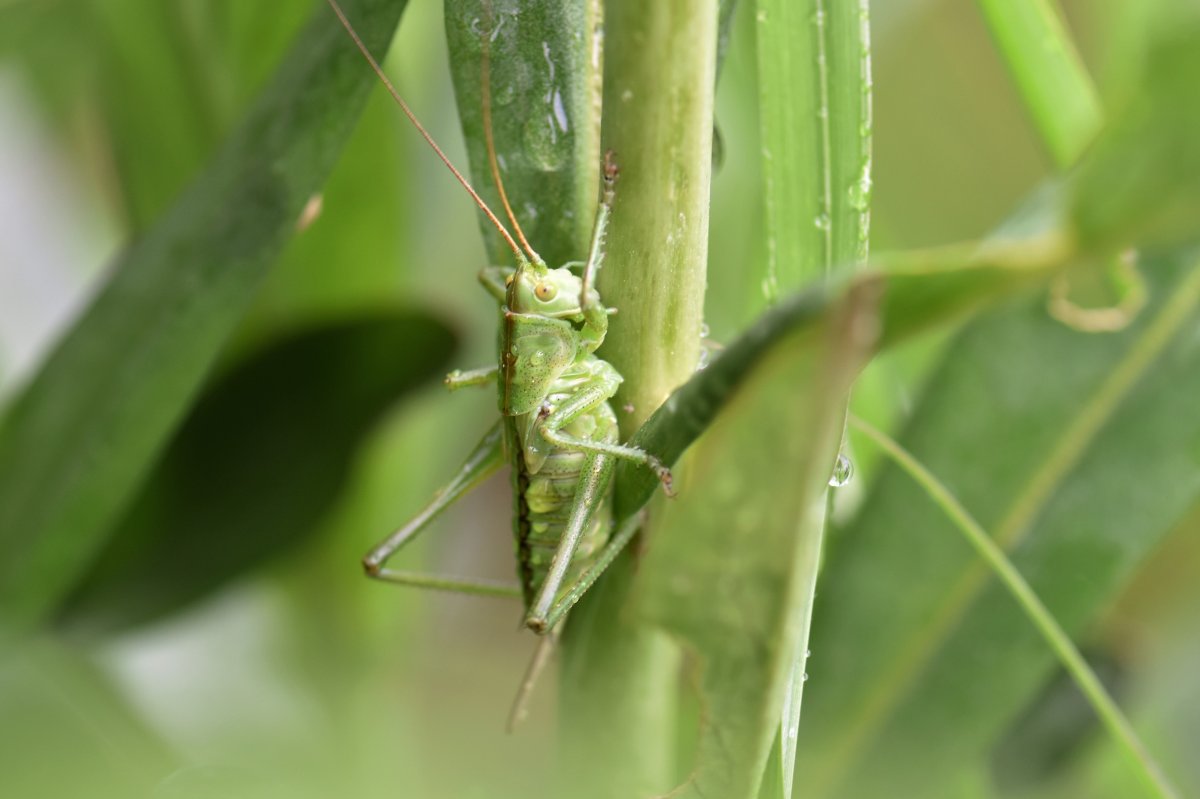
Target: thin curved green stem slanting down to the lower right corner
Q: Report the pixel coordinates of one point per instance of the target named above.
(1040, 616)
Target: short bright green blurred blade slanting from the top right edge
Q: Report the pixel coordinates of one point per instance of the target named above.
(1049, 75)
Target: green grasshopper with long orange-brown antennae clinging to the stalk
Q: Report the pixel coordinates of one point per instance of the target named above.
(557, 430)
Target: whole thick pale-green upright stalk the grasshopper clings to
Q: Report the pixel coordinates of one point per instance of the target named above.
(620, 677)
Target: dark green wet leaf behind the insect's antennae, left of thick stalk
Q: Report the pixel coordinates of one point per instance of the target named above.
(544, 70)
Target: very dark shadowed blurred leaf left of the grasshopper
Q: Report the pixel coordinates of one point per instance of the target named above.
(256, 466)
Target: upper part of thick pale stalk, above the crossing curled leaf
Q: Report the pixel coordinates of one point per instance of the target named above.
(659, 74)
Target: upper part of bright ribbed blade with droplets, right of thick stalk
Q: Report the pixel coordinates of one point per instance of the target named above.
(815, 119)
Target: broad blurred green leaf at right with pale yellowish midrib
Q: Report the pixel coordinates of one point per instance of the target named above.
(1078, 453)
